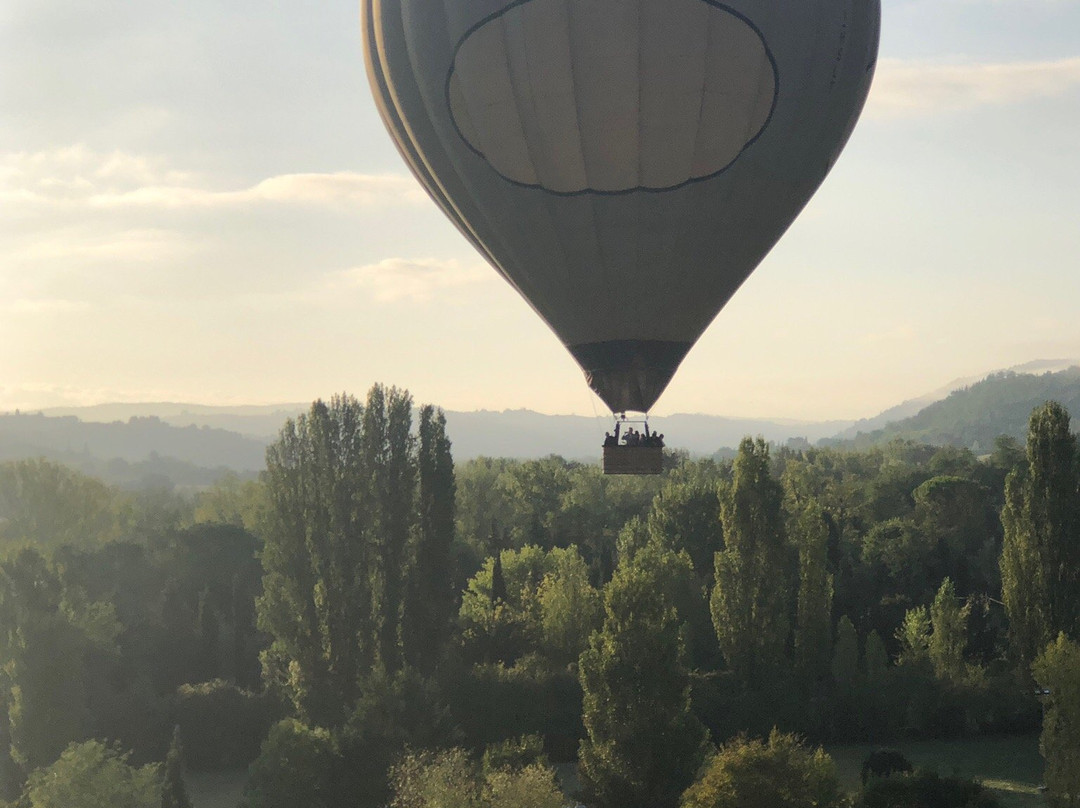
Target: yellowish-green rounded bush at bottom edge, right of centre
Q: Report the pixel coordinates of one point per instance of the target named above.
(782, 773)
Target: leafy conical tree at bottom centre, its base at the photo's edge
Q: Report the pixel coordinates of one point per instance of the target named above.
(644, 745)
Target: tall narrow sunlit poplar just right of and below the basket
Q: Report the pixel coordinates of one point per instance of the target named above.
(750, 600)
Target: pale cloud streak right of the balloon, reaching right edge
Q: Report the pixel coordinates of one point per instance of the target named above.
(904, 89)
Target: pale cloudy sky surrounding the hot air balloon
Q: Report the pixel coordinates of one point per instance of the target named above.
(199, 204)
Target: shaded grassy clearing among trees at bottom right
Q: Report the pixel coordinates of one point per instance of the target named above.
(1010, 765)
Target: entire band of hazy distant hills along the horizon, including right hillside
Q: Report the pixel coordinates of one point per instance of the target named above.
(193, 446)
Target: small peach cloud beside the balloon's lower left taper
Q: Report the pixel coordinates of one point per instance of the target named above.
(422, 280)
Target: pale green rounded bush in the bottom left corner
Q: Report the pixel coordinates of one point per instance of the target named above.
(92, 775)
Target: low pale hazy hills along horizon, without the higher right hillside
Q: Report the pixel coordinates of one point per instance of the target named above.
(214, 438)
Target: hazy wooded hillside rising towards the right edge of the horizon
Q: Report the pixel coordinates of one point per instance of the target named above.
(976, 415)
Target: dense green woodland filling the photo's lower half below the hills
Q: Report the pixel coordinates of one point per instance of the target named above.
(370, 625)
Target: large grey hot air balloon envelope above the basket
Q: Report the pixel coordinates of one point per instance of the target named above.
(625, 165)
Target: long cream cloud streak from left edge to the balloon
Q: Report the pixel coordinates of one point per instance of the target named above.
(76, 177)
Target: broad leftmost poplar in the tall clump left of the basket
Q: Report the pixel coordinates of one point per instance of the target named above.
(318, 595)
